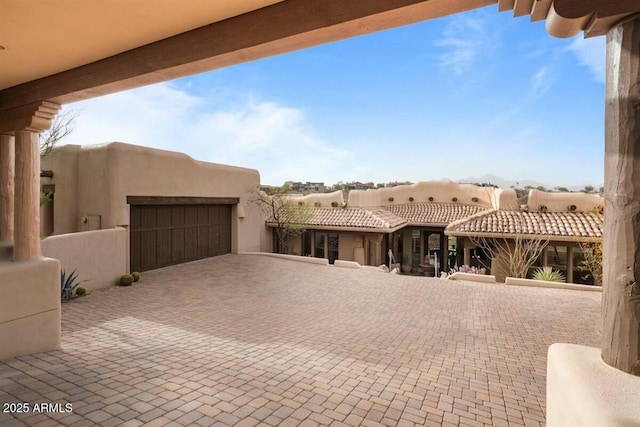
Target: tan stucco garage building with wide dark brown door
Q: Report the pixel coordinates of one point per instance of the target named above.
(175, 209)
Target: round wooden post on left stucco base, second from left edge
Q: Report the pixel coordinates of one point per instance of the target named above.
(27, 196)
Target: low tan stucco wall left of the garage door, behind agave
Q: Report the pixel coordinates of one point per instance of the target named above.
(97, 256)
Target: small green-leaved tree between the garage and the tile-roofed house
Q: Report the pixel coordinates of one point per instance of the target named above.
(279, 208)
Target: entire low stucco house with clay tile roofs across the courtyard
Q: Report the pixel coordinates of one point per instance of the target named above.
(440, 220)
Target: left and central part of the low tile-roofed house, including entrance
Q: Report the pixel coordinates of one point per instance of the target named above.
(409, 220)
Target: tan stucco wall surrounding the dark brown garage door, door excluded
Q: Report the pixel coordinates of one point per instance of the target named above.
(96, 180)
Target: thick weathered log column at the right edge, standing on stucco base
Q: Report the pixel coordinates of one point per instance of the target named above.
(621, 290)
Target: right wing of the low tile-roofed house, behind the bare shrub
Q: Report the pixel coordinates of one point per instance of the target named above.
(564, 220)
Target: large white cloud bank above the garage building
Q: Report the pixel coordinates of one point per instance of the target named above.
(275, 139)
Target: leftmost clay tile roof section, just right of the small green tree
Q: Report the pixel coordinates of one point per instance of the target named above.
(374, 218)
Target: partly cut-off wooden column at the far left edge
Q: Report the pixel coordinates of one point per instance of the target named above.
(7, 169)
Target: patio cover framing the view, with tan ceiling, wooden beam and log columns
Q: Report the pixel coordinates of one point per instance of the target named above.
(53, 52)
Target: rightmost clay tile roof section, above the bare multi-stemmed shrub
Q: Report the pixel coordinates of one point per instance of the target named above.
(560, 225)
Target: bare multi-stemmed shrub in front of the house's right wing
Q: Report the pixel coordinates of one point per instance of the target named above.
(516, 252)
